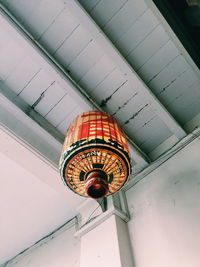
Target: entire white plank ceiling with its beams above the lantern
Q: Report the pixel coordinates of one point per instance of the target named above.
(60, 58)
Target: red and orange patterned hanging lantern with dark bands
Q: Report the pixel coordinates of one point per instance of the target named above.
(95, 158)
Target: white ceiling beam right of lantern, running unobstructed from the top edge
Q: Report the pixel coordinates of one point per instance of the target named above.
(78, 11)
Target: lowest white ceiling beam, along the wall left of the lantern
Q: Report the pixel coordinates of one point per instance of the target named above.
(28, 130)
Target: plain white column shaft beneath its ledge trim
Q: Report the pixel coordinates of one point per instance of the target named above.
(107, 245)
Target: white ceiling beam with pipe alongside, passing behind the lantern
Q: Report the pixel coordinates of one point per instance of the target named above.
(28, 42)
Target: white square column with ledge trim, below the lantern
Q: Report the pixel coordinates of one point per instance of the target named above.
(105, 240)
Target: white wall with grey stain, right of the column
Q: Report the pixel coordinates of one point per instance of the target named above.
(165, 213)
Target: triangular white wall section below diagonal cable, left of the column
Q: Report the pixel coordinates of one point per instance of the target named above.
(60, 249)
